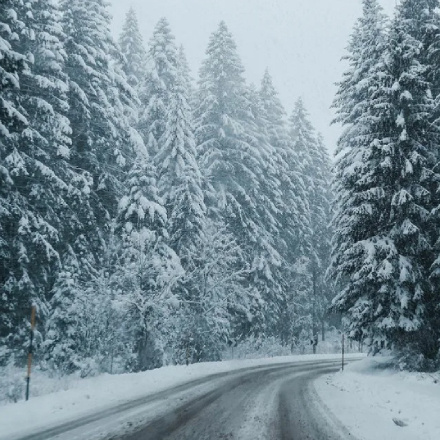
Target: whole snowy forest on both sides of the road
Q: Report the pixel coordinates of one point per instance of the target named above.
(154, 218)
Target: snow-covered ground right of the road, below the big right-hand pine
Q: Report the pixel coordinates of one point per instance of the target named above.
(376, 403)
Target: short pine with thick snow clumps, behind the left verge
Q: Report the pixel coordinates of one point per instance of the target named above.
(149, 268)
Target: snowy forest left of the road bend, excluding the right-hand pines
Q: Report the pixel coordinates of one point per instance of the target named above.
(151, 218)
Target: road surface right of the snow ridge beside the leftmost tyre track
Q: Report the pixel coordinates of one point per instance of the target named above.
(277, 403)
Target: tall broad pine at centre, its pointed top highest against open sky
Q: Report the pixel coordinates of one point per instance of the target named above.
(231, 158)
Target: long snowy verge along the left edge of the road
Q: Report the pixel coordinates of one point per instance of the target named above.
(95, 394)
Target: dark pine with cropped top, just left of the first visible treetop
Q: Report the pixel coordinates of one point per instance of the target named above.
(101, 142)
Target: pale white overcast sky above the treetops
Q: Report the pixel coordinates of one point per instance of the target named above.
(300, 41)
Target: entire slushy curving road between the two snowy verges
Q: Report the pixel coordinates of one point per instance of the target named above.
(270, 402)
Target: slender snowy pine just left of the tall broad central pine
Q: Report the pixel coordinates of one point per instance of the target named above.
(180, 185)
